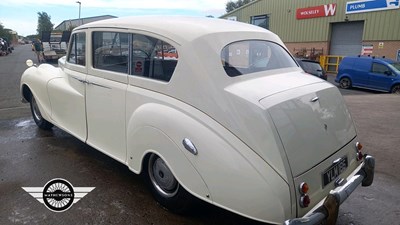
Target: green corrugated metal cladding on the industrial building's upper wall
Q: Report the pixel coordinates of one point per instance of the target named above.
(380, 25)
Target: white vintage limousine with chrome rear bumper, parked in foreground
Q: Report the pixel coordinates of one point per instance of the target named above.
(205, 108)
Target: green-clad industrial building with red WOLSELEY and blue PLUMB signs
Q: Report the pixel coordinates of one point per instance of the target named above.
(315, 28)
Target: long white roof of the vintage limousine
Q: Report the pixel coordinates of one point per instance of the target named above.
(179, 28)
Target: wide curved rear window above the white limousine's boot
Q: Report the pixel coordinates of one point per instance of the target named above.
(250, 56)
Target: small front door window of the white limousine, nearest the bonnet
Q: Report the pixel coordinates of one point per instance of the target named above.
(77, 49)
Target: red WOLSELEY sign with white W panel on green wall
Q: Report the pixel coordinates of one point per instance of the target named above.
(316, 11)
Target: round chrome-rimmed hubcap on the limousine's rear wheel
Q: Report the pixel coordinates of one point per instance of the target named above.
(161, 177)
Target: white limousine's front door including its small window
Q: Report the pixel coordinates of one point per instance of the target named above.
(67, 94)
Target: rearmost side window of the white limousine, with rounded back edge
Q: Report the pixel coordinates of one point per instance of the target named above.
(152, 58)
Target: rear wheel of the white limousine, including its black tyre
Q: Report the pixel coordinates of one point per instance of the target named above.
(165, 187)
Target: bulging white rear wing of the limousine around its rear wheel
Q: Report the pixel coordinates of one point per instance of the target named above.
(160, 129)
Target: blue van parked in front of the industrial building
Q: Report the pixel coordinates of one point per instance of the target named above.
(369, 72)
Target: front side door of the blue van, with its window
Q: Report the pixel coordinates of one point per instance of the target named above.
(380, 77)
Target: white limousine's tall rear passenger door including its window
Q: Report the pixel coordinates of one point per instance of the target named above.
(106, 93)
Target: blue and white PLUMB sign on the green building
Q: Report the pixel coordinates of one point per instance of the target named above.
(371, 5)
